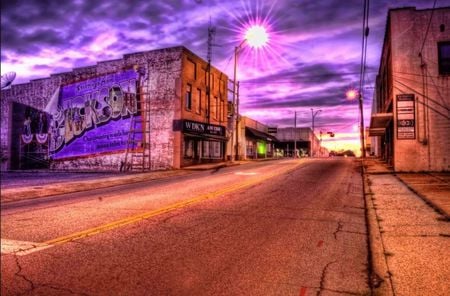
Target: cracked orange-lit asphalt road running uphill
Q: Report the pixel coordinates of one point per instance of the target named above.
(275, 228)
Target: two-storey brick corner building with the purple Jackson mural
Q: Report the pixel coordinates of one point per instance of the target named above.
(151, 108)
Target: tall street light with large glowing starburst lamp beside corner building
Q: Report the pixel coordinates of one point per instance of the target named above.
(256, 36)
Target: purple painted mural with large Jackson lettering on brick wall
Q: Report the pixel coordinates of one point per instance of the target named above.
(94, 116)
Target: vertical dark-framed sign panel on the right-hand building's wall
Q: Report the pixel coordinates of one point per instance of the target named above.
(406, 122)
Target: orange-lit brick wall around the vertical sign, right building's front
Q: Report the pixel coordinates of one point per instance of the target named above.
(420, 76)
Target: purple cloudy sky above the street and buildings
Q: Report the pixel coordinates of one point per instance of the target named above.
(312, 58)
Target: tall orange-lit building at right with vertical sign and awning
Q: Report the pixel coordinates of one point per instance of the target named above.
(411, 114)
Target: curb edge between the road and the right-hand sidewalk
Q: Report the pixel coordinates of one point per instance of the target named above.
(379, 276)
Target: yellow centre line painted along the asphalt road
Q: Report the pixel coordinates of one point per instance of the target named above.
(172, 207)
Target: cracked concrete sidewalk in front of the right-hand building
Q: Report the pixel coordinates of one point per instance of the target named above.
(409, 239)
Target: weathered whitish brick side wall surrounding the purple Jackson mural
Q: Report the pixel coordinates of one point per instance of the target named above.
(162, 68)
